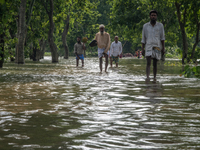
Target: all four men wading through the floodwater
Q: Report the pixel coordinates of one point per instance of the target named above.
(153, 45)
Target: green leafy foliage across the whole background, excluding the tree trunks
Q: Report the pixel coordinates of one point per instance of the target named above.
(122, 18)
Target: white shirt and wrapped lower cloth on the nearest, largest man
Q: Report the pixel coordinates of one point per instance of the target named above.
(152, 37)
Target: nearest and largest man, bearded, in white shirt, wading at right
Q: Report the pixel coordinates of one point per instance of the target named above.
(153, 39)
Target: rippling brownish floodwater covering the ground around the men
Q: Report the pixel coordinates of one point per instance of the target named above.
(59, 106)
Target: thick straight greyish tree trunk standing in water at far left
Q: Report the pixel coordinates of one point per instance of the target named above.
(21, 33)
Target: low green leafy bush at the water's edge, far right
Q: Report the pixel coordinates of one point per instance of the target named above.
(191, 72)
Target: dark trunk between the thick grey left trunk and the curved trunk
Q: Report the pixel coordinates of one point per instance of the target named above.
(52, 45)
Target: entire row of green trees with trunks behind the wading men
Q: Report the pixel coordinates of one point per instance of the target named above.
(28, 28)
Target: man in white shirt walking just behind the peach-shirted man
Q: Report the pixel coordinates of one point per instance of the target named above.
(115, 51)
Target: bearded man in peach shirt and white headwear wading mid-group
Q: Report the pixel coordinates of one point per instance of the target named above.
(103, 43)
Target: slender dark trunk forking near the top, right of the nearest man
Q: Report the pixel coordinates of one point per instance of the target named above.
(182, 26)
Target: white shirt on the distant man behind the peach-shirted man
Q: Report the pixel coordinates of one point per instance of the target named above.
(115, 48)
